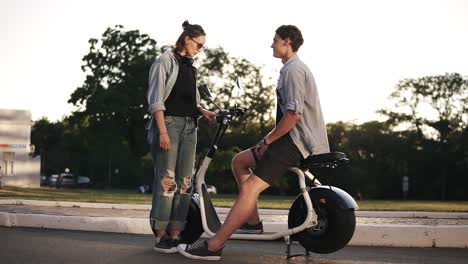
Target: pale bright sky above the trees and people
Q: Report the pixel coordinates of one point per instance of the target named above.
(357, 50)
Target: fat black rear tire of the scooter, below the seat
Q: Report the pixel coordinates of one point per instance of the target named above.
(334, 230)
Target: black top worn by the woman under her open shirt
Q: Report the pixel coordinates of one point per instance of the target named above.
(183, 101)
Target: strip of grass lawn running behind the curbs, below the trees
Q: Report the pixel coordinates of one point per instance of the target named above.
(222, 200)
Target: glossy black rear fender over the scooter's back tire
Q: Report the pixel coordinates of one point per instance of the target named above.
(332, 195)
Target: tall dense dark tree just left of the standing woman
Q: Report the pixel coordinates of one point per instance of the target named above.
(112, 101)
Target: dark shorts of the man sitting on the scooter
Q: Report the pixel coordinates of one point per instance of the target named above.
(280, 155)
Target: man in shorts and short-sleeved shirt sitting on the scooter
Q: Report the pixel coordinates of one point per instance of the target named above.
(300, 131)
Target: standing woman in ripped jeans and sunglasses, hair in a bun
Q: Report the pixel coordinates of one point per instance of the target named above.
(174, 105)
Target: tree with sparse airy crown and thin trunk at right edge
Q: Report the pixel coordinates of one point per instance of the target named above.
(444, 95)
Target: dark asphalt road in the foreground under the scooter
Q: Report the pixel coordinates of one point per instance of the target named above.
(29, 245)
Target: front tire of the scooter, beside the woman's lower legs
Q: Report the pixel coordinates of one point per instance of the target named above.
(193, 228)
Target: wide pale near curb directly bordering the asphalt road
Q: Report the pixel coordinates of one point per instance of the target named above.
(365, 235)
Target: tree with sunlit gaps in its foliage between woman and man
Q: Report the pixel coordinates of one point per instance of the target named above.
(219, 71)
